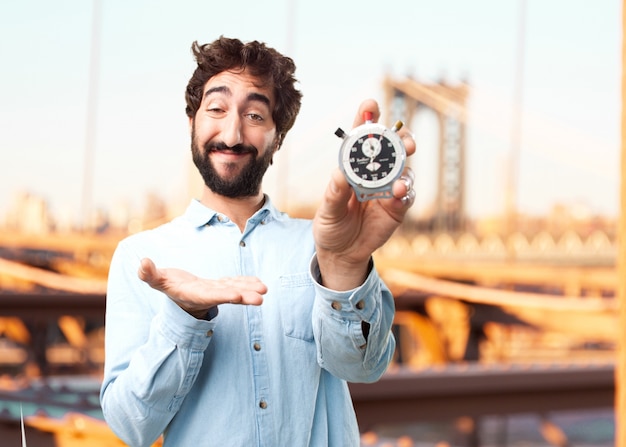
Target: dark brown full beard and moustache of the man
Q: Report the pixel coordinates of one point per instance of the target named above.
(245, 184)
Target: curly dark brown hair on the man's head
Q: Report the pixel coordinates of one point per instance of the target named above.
(261, 61)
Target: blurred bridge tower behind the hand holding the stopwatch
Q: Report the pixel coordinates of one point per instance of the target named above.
(404, 98)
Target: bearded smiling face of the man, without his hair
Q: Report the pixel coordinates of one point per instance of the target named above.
(233, 134)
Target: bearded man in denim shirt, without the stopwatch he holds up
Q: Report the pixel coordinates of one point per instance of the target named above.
(235, 325)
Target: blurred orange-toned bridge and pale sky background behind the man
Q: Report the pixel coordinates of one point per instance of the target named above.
(509, 254)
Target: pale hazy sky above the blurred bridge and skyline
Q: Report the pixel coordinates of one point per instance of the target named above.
(566, 85)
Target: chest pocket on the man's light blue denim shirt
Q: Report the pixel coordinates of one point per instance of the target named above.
(296, 305)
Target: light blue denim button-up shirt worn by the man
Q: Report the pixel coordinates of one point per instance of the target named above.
(269, 375)
